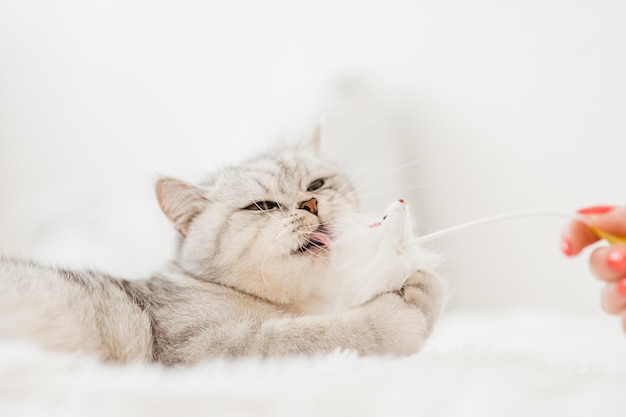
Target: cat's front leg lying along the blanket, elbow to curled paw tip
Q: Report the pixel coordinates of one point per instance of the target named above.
(395, 322)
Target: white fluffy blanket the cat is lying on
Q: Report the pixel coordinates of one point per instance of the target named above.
(523, 363)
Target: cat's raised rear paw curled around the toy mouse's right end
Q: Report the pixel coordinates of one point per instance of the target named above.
(425, 291)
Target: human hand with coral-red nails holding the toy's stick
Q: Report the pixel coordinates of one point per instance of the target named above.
(607, 263)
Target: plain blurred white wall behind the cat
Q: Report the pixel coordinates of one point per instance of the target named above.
(512, 106)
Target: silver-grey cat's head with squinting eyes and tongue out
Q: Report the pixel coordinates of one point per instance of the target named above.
(263, 226)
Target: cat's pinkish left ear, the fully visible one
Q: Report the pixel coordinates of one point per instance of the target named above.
(180, 202)
